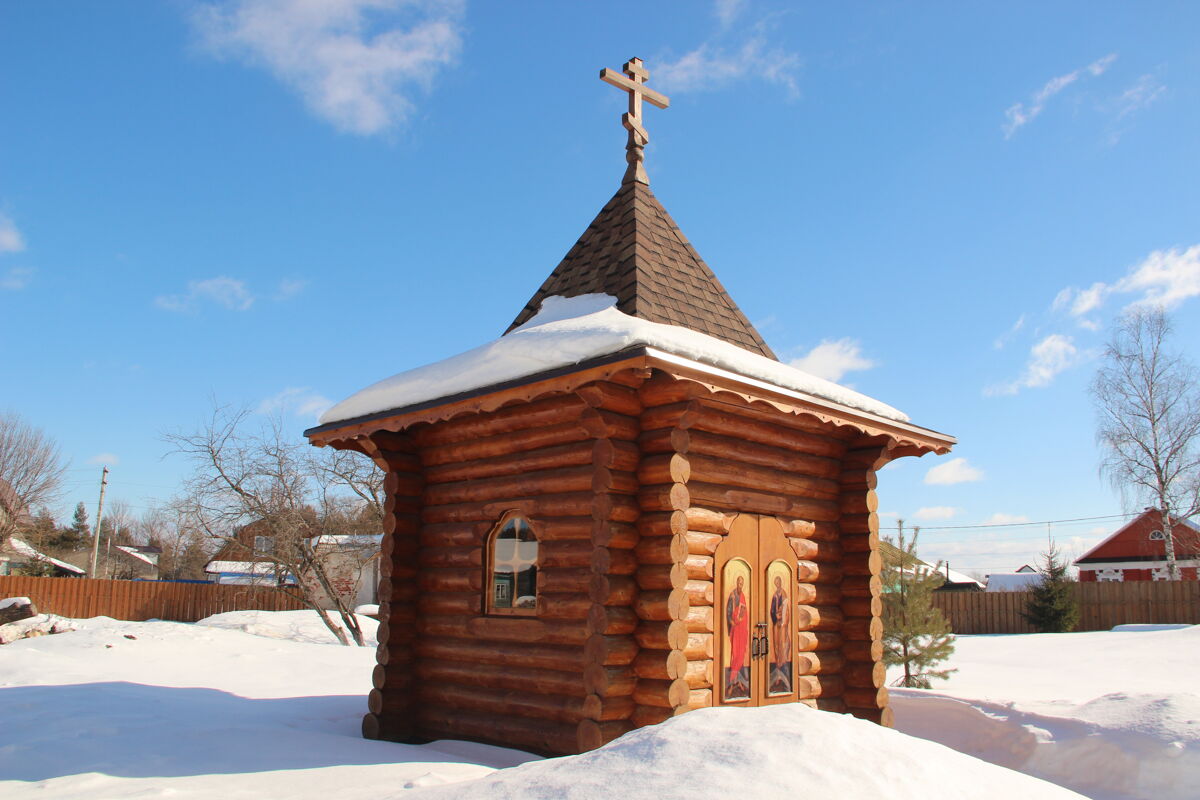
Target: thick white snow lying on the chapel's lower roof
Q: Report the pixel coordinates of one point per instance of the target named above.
(571, 330)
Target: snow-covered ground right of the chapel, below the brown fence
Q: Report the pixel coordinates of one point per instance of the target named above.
(1113, 714)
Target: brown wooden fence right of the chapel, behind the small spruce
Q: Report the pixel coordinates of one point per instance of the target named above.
(1101, 605)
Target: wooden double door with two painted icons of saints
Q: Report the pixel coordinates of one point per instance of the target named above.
(755, 587)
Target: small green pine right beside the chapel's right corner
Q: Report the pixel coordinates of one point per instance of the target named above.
(916, 634)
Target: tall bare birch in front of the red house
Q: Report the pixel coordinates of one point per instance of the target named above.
(1149, 405)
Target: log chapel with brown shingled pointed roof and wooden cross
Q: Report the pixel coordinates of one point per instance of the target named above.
(601, 546)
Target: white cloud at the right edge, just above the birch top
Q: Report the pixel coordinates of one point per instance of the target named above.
(1166, 278)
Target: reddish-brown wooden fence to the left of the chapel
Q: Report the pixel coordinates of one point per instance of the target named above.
(142, 600)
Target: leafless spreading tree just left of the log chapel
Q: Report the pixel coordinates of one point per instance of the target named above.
(303, 507)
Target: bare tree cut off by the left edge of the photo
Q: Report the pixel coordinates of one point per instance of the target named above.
(32, 471)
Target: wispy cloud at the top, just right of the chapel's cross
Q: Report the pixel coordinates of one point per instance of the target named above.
(733, 56)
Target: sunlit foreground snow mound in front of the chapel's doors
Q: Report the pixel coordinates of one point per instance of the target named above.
(776, 751)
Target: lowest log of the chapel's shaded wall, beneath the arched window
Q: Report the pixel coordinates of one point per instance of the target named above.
(538, 736)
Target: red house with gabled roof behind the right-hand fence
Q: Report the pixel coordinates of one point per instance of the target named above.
(1138, 552)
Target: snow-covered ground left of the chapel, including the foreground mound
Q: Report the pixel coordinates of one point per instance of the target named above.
(253, 706)
